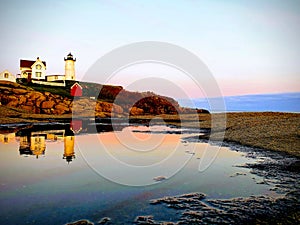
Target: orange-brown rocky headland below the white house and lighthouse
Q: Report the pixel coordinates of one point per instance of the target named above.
(27, 100)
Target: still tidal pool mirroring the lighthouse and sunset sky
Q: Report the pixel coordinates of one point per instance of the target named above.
(53, 175)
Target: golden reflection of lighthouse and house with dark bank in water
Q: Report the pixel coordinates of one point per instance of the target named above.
(33, 139)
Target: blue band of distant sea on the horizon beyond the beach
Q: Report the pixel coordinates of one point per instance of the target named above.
(284, 102)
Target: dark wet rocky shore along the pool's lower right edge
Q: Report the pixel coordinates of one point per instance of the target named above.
(273, 168)
